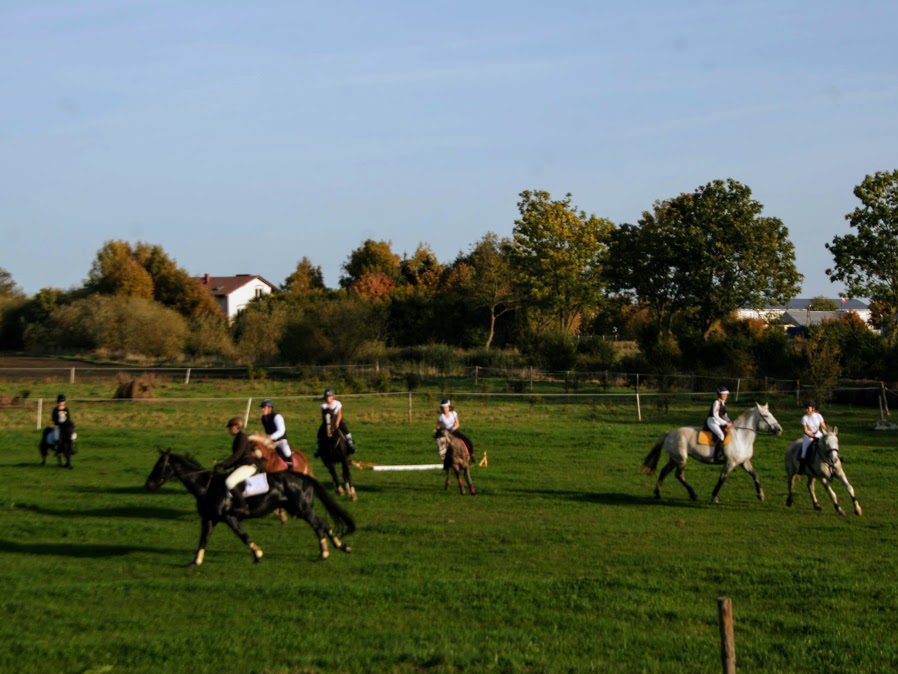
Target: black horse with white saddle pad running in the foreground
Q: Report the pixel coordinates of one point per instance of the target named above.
(294, 492)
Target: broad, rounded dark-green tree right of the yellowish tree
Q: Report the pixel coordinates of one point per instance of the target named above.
(703, 255)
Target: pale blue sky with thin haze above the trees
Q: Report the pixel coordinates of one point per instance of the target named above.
(243, 136)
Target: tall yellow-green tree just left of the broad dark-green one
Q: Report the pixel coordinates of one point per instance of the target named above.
(556, 258)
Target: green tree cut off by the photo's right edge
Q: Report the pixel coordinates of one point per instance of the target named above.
(867, 261)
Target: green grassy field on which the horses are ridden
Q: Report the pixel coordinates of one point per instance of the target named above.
(563, 562)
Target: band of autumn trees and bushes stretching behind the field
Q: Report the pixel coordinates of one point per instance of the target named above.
(560, 292)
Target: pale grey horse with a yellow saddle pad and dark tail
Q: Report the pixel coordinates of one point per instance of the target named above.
(683, 443)
